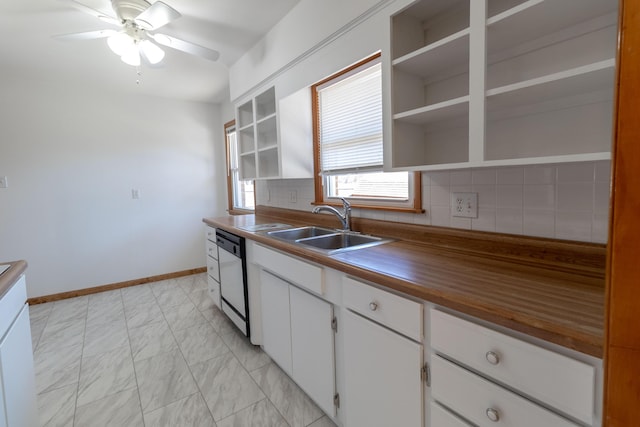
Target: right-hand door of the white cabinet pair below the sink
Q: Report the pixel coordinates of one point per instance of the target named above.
(312, 347)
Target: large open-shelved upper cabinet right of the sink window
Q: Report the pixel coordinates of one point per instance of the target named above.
(501, 82)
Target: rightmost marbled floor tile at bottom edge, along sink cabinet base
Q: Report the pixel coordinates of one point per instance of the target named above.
(298, 409)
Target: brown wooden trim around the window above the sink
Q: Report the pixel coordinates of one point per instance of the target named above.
(317, 171)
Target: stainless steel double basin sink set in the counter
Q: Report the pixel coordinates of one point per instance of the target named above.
(327, 240)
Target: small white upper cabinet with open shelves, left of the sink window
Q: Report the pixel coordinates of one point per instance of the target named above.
(275, 136)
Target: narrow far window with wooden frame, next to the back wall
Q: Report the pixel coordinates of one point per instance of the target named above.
(240, 192)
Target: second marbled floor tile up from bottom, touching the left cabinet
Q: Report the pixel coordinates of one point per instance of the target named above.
(57, 367)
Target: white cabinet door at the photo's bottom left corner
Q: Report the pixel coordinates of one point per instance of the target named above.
(18, 379)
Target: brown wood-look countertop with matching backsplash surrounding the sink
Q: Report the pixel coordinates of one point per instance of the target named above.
(549, 289)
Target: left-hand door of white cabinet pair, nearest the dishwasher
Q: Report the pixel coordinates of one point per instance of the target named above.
(276, 323)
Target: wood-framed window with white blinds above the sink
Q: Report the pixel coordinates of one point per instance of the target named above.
(348, 143)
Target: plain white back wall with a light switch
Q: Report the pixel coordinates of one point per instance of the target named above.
(72, 158)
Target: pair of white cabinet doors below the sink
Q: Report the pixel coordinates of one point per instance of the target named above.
(297, 334)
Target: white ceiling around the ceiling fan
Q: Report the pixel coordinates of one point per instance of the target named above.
(228, 26)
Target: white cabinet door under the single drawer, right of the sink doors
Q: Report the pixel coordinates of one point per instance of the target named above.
(382, 375)
